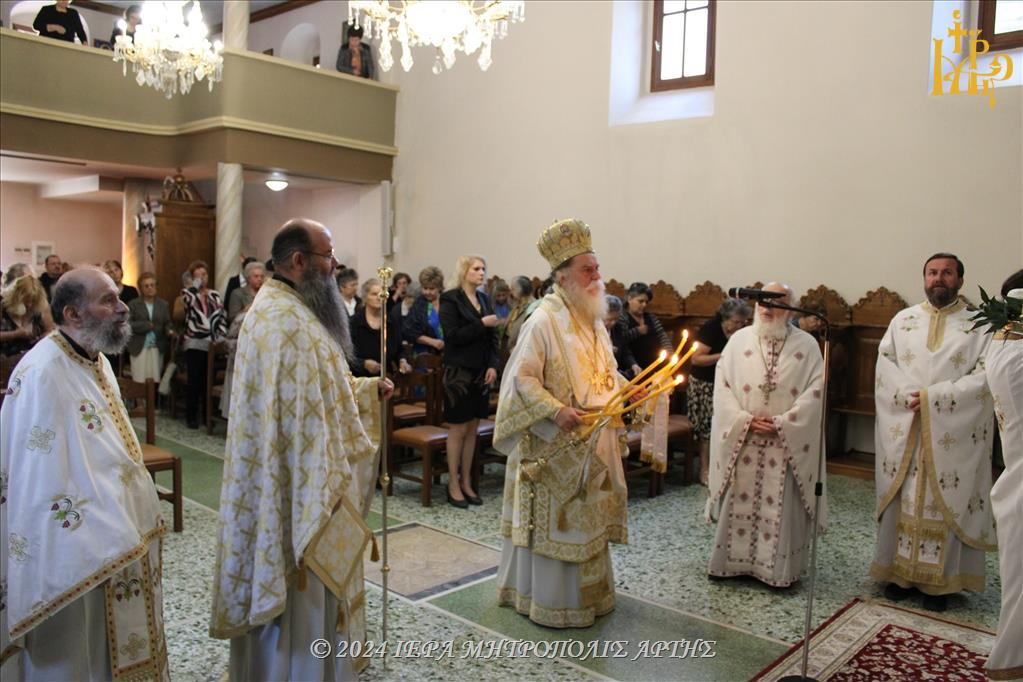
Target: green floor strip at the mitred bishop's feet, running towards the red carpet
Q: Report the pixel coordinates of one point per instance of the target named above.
(736, 655)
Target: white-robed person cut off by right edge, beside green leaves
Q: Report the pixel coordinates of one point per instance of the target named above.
(1005, 379)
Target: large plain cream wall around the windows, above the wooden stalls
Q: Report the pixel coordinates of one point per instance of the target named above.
(826, 160)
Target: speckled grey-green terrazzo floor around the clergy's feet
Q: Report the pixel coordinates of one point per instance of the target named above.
(660, 577)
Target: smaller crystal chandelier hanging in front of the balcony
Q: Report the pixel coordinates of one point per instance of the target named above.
(170, 52)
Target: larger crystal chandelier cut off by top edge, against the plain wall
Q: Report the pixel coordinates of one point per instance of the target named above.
(451, 26)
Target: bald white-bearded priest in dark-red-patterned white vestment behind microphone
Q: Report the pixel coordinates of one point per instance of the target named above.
(766, 443)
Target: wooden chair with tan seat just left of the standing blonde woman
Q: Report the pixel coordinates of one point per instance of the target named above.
(427, 440)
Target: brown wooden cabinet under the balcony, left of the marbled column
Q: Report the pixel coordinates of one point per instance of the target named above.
(186, 233)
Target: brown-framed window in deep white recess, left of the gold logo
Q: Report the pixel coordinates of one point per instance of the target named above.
(684, 44)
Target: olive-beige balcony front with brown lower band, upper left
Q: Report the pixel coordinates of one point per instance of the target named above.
(68, 101)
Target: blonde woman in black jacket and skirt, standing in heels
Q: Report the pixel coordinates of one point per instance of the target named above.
(471, 359)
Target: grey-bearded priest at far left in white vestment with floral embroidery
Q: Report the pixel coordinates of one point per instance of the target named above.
(79, 515)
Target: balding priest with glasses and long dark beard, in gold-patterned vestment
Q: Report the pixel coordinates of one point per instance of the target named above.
(299, 475)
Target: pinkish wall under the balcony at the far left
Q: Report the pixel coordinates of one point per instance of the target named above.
(84, 233)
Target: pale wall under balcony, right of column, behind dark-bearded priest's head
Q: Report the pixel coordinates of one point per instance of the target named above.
(351, 212)
